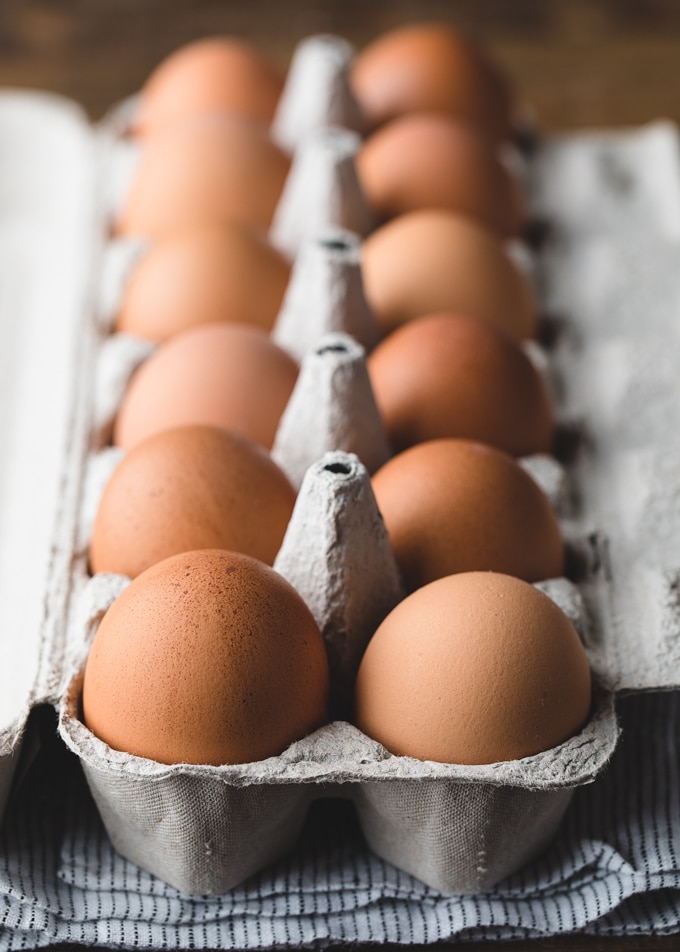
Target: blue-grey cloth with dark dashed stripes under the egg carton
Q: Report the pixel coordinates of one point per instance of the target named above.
(614, 869)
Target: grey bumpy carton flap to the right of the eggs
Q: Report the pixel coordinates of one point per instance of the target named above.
(609, 282)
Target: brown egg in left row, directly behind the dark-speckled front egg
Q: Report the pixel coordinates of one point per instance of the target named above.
(191, 487)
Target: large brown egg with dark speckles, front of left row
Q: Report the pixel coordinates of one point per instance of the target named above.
(208, 657)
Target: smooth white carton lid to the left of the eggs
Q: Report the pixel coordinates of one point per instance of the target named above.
(48, 241)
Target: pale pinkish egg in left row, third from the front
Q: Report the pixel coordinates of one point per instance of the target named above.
(228, 375)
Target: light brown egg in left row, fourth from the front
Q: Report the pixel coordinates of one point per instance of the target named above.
(226, 272)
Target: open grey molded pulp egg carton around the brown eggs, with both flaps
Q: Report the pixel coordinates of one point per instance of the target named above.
(608, 283)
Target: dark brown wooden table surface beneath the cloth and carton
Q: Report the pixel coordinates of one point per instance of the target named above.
(578, 63)
